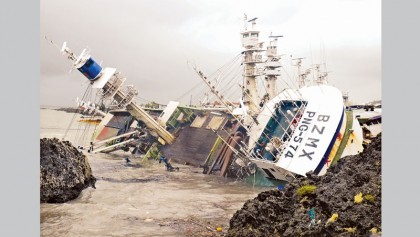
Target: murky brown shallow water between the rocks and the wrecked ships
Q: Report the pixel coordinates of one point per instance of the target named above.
(142, 199)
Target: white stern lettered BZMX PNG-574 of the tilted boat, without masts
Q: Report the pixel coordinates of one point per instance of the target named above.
(303, 130)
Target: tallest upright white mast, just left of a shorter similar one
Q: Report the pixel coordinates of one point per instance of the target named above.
(252, 56)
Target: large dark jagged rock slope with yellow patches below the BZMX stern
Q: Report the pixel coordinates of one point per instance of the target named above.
(285, 214)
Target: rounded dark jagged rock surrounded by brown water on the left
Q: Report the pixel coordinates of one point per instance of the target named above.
(64, 173)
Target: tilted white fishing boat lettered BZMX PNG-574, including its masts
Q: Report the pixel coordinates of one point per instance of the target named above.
(297, 130)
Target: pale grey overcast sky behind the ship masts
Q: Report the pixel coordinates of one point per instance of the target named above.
(151, 41)
